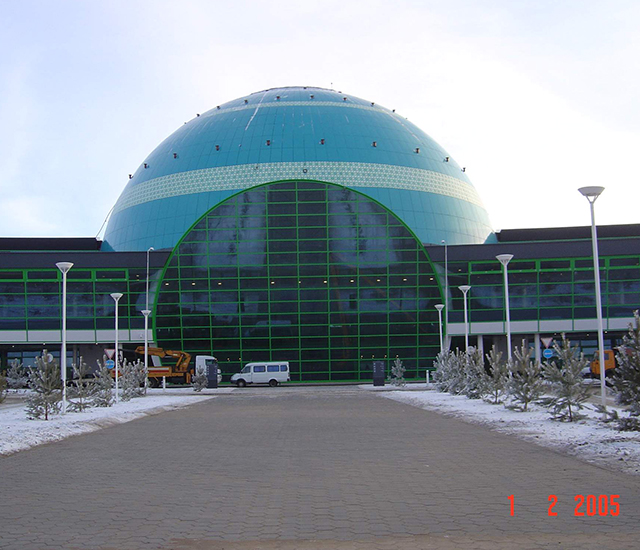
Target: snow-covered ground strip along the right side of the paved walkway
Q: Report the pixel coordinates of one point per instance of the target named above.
(588, 439)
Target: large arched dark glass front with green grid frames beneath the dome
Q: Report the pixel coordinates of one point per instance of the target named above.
(307, 272)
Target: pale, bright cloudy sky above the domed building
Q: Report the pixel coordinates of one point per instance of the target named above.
(534, 98)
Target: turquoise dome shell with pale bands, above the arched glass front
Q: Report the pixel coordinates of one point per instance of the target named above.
(296, 133)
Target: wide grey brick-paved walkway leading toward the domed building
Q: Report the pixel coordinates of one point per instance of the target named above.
(304, 469)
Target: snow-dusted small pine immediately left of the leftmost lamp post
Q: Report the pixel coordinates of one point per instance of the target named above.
(46, 388)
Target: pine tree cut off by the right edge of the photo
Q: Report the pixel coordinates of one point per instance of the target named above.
(626, 377)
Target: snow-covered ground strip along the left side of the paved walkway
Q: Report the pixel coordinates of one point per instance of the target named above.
(18, 433)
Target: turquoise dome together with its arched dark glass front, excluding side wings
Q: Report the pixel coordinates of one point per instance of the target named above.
(296, 218)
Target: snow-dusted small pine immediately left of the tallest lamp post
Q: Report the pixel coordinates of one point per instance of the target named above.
(566, 382)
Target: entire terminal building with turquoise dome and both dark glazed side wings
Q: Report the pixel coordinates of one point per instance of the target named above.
(307, 225)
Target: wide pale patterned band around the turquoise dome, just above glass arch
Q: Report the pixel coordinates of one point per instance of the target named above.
(349, 174)
